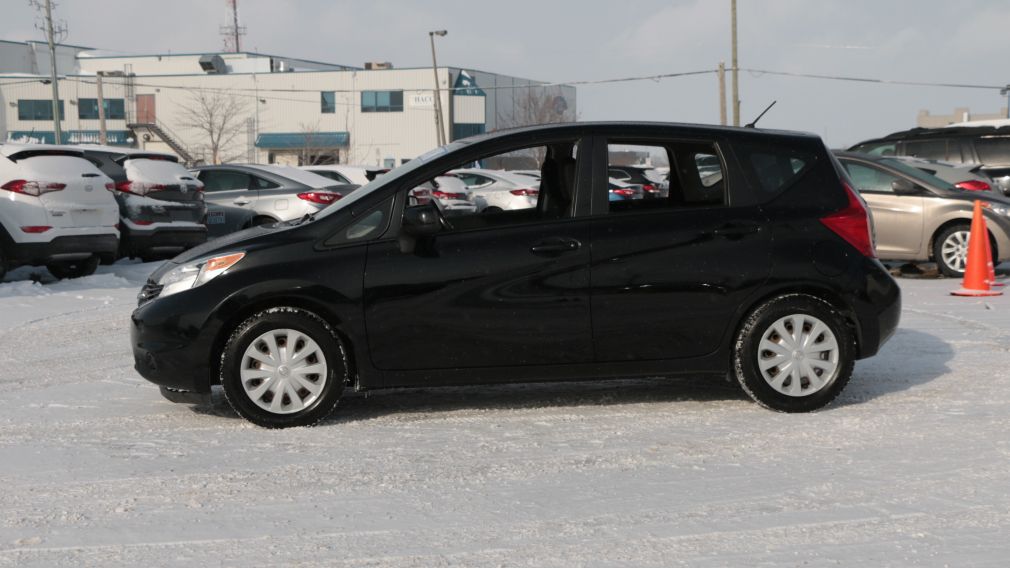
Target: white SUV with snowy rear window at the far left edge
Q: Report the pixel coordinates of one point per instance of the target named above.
(57, 210)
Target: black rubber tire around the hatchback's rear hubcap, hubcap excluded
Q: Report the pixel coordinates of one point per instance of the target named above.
(748, 354)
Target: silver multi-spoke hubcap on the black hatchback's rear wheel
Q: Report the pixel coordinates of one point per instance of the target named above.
(798, 355)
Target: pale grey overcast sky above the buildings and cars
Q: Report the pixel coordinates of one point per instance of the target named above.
(927, 41)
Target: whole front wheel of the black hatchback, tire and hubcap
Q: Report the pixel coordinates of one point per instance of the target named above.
(284, 367)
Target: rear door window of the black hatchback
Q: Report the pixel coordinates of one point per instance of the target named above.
(664, 176)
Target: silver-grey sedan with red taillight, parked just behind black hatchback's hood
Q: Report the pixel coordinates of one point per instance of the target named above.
(240, 197)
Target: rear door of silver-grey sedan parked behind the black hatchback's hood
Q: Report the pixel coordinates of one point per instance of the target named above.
(231, 201)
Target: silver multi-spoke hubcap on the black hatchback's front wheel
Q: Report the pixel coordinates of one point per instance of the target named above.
(283, 371)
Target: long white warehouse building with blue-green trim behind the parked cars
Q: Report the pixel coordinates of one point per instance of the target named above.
(261, 109)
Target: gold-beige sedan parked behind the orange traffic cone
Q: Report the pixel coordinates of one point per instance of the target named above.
(921, 218)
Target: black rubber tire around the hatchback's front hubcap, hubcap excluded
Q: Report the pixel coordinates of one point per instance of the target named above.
(312, 326)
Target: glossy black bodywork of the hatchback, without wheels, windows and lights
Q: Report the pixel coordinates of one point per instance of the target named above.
(657, 293)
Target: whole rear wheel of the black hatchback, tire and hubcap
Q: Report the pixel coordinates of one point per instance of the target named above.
(794, 354)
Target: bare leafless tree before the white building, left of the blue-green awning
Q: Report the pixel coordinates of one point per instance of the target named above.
(221, 120)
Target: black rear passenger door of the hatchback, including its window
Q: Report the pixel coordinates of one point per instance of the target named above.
(668, 274)
